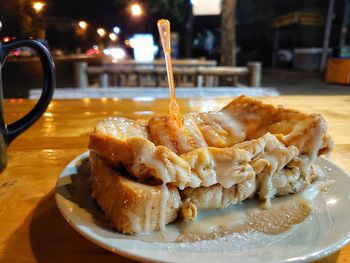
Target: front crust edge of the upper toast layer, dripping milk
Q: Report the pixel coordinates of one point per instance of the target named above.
(205, 166)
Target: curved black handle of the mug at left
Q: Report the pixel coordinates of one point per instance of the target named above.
(19, 126)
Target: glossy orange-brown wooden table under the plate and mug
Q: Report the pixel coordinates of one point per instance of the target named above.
(31, 227)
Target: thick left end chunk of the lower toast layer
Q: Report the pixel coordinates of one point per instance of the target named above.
(130, 206)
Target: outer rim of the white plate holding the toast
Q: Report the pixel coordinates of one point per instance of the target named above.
(303, 258)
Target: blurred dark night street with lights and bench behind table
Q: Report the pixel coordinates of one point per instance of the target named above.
(289, 46)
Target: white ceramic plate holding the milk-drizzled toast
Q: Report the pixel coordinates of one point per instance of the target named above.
(324, 232)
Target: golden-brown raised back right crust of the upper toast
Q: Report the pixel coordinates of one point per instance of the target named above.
(299, 128)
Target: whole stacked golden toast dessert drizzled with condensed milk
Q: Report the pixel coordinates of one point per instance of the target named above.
(146, 175)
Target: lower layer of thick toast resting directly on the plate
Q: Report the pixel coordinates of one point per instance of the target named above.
(134, 207)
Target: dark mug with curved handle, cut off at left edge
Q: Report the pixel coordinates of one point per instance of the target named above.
(11, 131)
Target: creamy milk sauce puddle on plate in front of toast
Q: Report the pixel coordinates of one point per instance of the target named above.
(285, 213)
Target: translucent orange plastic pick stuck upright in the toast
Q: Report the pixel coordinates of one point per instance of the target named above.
(164, 33)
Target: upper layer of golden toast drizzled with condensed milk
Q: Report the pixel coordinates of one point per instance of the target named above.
(207, 139)
